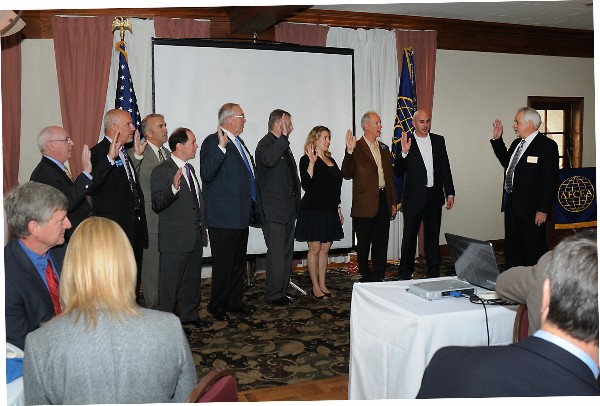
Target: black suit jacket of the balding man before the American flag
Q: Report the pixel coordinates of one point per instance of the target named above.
(111, 195)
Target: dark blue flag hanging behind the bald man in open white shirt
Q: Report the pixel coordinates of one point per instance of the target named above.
(405, 109)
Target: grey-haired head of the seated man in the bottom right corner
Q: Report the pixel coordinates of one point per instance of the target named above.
(573, 275)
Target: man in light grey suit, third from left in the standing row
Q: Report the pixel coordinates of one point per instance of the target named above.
(154, 130)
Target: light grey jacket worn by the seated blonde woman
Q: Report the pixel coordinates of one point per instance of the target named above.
(143, 359)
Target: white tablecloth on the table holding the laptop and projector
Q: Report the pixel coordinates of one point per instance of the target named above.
(394, 334)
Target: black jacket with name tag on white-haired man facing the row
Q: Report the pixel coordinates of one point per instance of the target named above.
(535, 180)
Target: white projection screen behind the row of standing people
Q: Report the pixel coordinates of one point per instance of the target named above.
(193, 79)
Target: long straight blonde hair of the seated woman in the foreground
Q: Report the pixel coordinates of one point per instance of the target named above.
(99, 272)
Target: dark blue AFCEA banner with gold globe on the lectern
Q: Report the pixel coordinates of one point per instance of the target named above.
(575, 205)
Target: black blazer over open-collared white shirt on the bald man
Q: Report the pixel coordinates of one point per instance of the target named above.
(414, 196)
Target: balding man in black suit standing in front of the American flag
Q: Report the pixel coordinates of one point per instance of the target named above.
(117, 194)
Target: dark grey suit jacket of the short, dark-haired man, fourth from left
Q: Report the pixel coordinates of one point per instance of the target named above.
(176, 212)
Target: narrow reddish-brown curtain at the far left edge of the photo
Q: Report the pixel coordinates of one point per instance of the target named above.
(11, 109)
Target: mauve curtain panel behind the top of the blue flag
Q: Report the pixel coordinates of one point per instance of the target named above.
(424, 45)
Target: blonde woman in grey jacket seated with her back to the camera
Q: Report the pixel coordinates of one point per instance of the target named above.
(103, 347)
